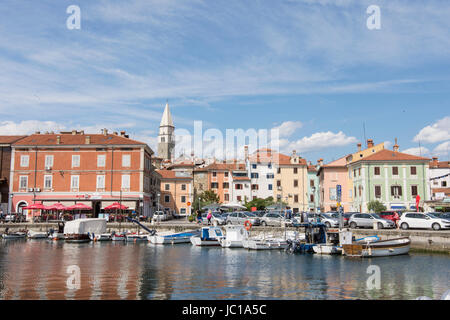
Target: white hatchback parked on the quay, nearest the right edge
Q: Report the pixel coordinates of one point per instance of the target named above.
(418, 220)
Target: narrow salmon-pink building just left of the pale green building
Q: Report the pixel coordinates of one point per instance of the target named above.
(330, 175)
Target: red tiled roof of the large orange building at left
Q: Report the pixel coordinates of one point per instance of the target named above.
(75, 139)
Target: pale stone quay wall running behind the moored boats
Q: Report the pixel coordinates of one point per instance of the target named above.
(421, 240)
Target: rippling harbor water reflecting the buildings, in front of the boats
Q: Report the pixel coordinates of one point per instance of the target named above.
(42, 269)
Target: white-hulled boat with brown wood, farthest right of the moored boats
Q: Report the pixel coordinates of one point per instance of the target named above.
(381, 248)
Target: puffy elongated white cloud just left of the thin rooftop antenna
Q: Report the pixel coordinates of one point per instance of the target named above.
(322, 140)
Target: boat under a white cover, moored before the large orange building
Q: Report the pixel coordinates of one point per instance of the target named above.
(81, 230)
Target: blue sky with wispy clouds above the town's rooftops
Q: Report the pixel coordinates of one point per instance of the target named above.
(311, 68)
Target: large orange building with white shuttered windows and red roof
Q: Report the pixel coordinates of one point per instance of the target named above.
(73, 167)
